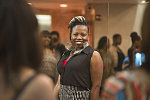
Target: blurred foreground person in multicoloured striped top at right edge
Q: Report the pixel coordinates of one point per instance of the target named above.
(135, 84)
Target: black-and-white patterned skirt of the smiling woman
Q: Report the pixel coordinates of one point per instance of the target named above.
(73, 93)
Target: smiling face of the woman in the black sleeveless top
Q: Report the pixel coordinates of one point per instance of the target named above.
(79, 36)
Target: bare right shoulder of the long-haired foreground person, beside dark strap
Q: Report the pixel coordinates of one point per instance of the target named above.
(41, 88)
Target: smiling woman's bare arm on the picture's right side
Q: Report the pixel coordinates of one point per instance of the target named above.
(96, 71)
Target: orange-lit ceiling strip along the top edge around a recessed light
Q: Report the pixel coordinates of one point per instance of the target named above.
(74, 4)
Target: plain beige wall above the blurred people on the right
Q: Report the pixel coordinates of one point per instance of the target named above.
(119, 19)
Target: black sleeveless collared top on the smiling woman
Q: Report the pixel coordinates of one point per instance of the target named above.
(77, 70)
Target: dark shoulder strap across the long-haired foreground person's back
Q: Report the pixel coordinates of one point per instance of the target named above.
(19, 92)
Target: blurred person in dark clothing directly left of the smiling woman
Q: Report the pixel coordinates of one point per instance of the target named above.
(55, 44)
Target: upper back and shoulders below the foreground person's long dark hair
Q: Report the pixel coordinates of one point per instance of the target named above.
(39, 88)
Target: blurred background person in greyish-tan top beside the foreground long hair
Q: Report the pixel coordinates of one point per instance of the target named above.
(49, 62)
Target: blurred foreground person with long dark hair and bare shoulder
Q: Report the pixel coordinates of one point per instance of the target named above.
(21, 54)
